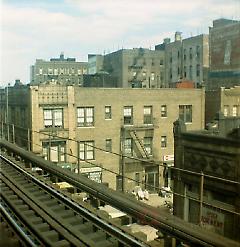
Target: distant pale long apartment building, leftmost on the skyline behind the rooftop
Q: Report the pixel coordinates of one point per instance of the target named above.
(65, 71)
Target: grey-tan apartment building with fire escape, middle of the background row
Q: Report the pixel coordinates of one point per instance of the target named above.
(136, 68)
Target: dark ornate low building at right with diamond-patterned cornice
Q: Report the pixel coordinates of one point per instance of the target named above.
(209, 179)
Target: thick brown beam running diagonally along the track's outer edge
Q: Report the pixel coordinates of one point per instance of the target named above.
(170, 225)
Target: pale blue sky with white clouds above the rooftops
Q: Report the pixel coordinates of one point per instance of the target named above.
(42, 29)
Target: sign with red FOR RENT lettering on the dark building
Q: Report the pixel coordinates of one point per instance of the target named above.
(212, 220)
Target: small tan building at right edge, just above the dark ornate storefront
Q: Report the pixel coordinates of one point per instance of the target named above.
(224, 100)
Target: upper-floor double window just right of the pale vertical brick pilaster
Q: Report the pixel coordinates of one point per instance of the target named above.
(85, 116)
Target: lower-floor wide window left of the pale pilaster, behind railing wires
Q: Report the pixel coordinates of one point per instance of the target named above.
(56, 152)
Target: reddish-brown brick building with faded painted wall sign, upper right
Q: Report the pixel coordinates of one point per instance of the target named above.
(224, 43)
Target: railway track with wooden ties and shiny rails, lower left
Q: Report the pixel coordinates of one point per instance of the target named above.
(45, 217)
